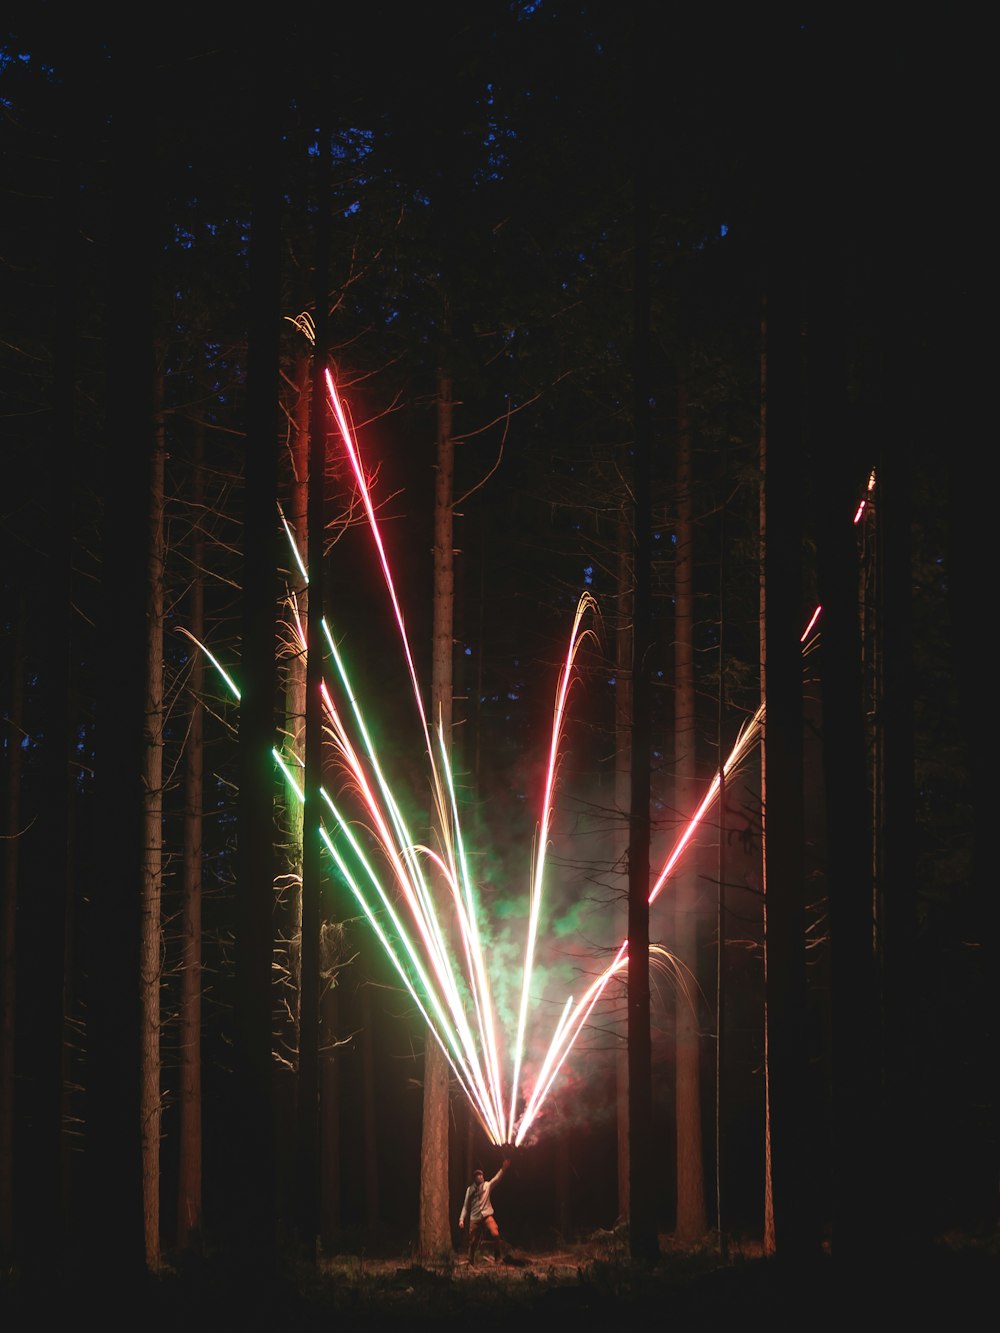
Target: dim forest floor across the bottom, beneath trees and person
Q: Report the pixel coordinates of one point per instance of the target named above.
(950, 1284)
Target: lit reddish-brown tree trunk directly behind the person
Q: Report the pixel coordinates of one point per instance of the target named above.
(435, 1219)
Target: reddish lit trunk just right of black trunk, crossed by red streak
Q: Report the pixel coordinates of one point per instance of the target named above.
(691, 1183)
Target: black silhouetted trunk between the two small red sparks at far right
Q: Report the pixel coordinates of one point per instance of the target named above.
(858, 1159)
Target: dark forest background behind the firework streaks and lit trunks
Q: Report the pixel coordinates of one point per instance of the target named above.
(795, 202)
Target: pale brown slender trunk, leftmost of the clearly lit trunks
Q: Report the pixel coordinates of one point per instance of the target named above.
(151, 943)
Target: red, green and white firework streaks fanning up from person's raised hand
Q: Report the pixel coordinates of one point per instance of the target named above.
(419, 899)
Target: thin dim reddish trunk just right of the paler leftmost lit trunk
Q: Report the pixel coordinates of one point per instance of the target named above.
(190, 1000)
